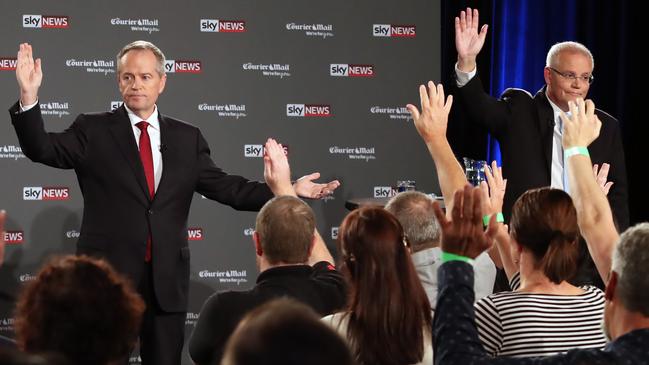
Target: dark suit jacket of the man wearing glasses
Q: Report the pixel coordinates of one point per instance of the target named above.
(523, 125)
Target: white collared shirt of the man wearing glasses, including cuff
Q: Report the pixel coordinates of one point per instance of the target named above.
(557, 176)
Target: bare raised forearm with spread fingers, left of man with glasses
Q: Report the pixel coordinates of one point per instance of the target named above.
(431, 125)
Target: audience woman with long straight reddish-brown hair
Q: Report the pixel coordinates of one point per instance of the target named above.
(387, 318)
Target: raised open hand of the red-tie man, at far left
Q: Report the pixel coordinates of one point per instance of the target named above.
(29, 74)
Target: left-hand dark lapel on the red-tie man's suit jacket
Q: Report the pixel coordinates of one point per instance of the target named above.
(122, 133)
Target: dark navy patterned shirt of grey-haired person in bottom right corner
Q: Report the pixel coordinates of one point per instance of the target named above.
(457, 341)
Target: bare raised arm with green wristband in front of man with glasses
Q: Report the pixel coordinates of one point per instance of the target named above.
(593, 210)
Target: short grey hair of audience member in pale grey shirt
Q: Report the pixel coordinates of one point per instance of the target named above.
(414, 210)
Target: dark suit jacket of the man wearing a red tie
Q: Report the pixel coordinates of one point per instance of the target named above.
(118, 212)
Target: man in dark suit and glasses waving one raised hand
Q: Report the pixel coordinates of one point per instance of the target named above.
(528, 127)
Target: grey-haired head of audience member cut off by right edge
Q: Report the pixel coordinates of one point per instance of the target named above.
(631, 263)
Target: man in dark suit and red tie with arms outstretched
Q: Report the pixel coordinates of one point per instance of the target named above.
(138, 171)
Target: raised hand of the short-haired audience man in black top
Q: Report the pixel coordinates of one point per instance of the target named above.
(277, 172)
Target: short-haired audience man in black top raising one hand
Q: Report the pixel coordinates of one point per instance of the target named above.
(292, 259)
